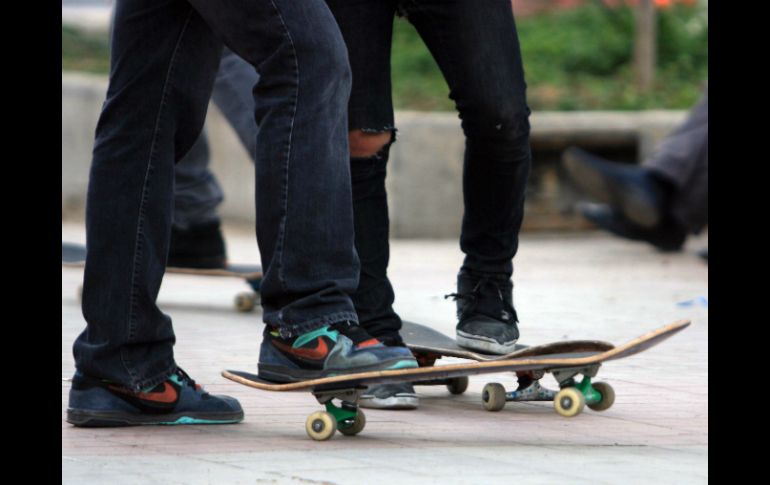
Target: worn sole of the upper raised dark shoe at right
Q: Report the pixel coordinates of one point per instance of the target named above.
(634, 204)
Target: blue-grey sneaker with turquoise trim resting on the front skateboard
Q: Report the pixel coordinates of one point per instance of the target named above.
(342, 348)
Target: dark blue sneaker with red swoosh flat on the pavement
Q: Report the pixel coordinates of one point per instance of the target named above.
(177, 400)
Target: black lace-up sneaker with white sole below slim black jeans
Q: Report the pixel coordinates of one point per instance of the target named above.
(486, 317)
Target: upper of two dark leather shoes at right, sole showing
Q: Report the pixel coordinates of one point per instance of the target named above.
(631, 190)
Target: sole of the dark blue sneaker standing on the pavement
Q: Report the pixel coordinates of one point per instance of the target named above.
(110, 419)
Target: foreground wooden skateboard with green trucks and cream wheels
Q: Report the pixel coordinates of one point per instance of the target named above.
(569, 401)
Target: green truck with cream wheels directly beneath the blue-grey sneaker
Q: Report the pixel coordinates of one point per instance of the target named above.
(345, 418)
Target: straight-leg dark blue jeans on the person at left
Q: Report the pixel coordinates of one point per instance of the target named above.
(165, 56)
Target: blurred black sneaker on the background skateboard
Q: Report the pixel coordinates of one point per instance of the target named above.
(198, 246)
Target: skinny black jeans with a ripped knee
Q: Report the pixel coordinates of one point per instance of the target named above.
(476, 47)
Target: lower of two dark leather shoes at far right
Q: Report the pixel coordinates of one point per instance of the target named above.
(666, 236)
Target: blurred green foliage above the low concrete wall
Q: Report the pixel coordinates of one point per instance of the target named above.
(574, 59)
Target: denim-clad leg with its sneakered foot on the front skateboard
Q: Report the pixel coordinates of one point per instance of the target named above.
(304, 214)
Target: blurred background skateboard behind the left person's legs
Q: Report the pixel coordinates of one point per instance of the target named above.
(74, 256)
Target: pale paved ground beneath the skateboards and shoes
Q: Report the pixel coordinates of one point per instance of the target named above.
(586, 286)
